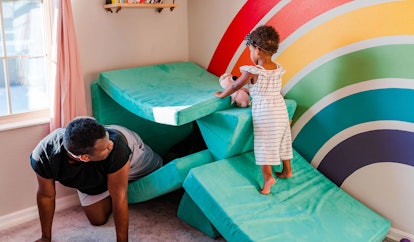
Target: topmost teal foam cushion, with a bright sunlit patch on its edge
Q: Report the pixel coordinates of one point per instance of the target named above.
(174, 93)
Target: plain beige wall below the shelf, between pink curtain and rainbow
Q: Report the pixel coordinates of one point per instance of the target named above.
(131, 37)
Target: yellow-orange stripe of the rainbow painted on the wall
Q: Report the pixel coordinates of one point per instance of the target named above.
(355, 26)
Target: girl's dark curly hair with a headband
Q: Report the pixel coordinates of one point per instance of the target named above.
(266, 38)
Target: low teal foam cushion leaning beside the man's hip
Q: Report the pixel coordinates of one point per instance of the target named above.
(167, 178)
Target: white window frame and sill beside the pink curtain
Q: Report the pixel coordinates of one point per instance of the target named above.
(30, 118)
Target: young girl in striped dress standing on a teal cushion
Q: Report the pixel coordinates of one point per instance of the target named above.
(271, 126)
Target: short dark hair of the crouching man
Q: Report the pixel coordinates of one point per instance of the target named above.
(81, 135)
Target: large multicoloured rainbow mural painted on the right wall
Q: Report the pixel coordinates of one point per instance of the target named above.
(350, 68)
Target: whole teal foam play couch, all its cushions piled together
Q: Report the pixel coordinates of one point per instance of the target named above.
(163, 103)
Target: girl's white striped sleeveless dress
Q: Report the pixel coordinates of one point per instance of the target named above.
(271, 126)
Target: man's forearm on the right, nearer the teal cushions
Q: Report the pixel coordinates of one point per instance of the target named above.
(118, 186)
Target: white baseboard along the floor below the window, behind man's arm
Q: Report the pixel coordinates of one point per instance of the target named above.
(28, 214)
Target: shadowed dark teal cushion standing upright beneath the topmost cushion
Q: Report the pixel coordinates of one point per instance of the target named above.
(160, 137)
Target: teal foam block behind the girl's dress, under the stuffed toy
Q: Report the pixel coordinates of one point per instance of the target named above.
(230, 132)
